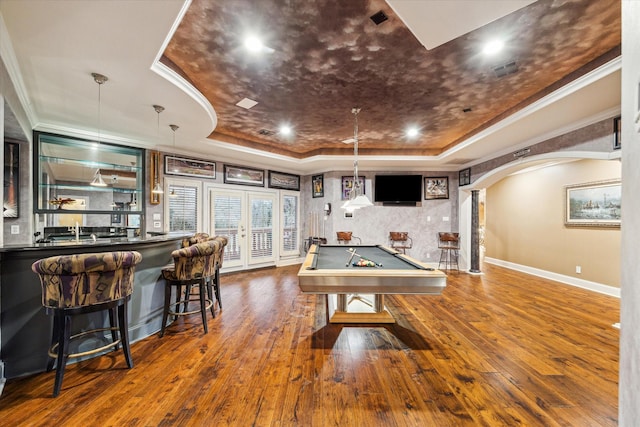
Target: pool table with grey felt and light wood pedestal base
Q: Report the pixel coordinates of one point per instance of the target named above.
(334, 270)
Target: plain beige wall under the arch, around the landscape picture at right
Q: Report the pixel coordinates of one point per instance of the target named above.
(525, 223)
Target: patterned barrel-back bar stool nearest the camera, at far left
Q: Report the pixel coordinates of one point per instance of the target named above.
(79, 284)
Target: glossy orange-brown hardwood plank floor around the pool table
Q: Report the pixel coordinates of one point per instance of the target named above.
(503, 348)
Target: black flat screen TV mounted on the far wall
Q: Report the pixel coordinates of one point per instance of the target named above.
(398, 189)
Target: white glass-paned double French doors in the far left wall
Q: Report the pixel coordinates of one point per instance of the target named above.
(247, 219)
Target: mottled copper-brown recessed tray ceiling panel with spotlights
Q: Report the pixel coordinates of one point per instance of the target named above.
(328, 57)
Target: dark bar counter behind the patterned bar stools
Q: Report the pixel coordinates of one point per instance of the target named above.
(25, 328)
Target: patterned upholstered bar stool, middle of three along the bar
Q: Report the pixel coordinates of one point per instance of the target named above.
(193, 265)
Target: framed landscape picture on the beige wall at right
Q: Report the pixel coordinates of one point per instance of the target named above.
(595, 204)
